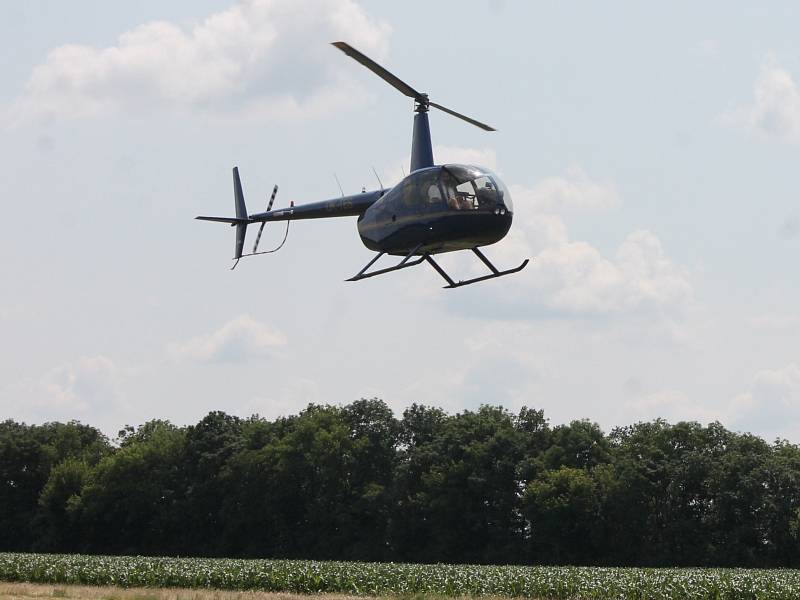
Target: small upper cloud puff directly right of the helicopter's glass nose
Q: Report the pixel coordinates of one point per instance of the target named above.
(572, 191)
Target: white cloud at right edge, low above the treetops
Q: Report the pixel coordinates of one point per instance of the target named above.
(772, 404)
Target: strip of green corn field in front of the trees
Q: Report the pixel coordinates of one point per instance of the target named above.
(386, 579)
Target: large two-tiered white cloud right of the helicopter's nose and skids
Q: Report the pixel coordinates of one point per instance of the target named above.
(573, 277)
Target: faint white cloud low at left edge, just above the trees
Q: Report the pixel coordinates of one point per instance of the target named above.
(81, 389)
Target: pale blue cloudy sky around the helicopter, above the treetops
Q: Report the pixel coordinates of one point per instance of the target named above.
(651, 150)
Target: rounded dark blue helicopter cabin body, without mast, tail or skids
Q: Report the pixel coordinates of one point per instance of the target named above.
(438, 209)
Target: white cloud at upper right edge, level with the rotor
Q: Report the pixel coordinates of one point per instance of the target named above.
(775, 112)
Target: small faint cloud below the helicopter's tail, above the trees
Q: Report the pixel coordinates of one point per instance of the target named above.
(237, 341)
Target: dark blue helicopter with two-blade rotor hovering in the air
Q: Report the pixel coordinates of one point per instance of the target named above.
(434, 209)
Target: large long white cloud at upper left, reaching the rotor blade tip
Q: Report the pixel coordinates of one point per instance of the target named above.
(268, 57)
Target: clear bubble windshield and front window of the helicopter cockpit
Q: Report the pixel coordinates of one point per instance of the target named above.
(474, 188)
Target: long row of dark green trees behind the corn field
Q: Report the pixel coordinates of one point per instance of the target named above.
(356, 483)
